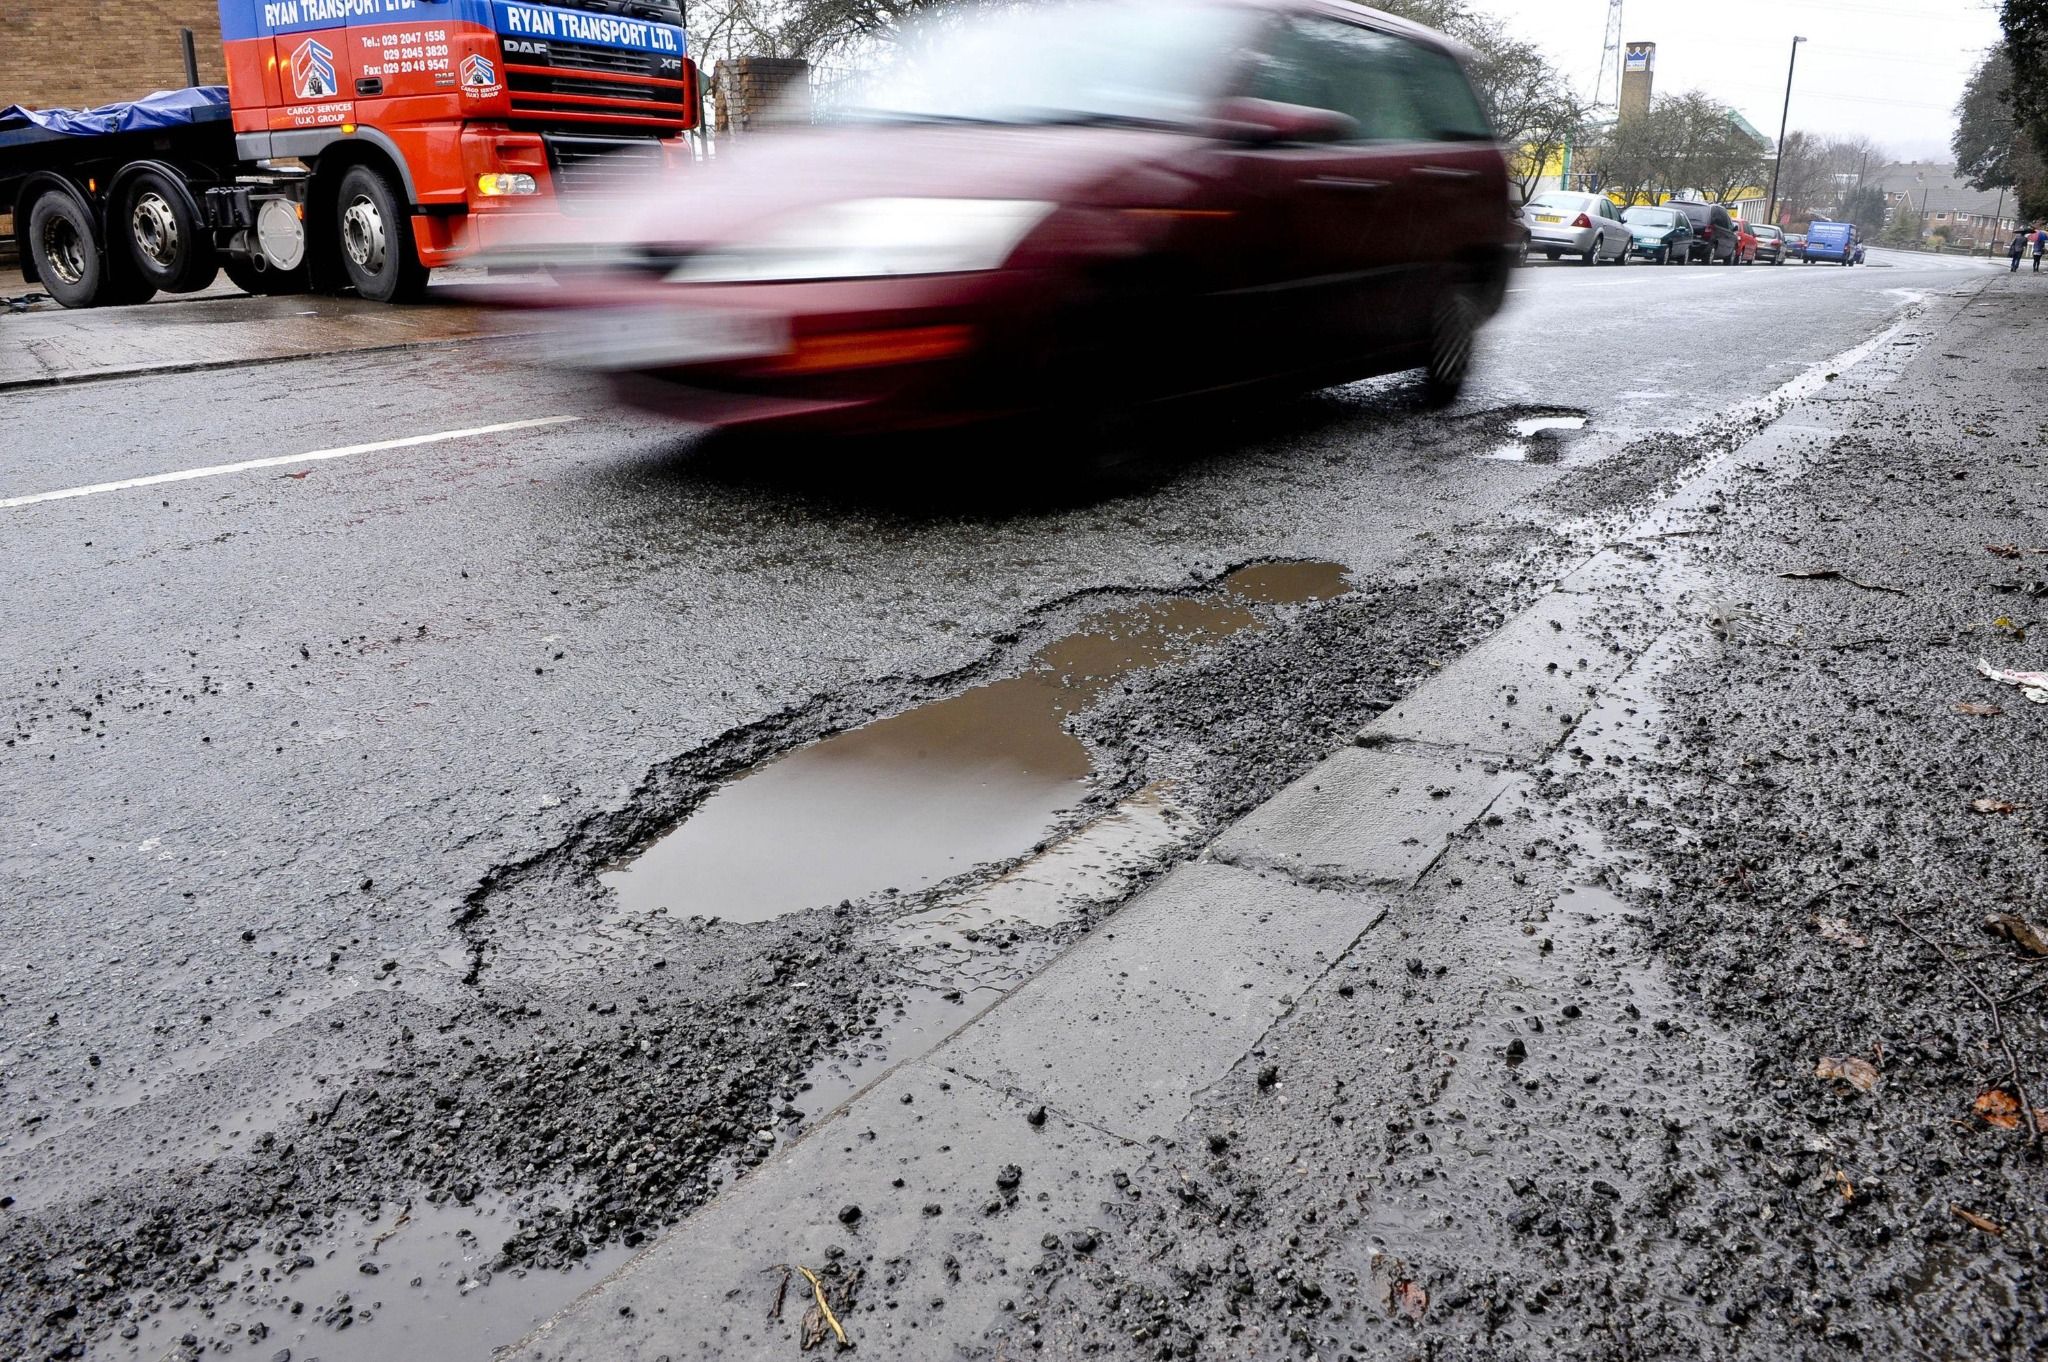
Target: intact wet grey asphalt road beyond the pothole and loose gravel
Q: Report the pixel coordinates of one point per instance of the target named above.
(267, 732)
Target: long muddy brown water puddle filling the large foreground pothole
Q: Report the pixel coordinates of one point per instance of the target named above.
(931, 794)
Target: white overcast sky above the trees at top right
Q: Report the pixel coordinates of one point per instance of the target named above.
(1883, 69)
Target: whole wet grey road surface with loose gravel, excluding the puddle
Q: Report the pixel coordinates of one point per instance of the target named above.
(314, 767)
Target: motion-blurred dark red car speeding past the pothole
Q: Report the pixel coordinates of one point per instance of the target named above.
(1072, 208)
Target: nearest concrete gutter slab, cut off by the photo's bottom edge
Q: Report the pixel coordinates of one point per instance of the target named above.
(929, 1279)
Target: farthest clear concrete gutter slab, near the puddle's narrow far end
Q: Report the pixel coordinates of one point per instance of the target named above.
(1521, 691)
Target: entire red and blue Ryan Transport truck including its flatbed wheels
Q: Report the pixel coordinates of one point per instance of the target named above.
(357, 146)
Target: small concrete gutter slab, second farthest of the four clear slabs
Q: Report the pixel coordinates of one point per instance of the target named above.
(1367, 816)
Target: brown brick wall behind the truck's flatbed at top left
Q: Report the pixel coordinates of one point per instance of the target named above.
(75, 54)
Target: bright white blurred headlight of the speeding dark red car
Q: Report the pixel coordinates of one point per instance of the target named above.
(871, 239)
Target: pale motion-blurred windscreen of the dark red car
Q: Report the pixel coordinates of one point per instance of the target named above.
(1138, 62)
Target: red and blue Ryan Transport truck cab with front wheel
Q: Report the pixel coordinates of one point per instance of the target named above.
(433, 124)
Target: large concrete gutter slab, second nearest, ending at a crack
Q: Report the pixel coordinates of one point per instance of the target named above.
(1164, 998)
